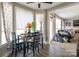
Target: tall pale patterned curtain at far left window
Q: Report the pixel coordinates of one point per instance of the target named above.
(6, 19)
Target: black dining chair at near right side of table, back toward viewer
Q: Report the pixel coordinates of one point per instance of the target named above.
(34, 42)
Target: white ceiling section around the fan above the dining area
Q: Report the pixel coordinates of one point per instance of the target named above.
(43, 6)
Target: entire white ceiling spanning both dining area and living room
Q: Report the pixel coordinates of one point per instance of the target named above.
(66, 10)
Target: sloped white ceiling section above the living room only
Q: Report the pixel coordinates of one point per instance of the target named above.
(68, 12)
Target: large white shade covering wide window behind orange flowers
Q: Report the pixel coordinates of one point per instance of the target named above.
(23, 16)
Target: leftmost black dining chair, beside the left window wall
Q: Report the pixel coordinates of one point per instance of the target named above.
(16, 44)
